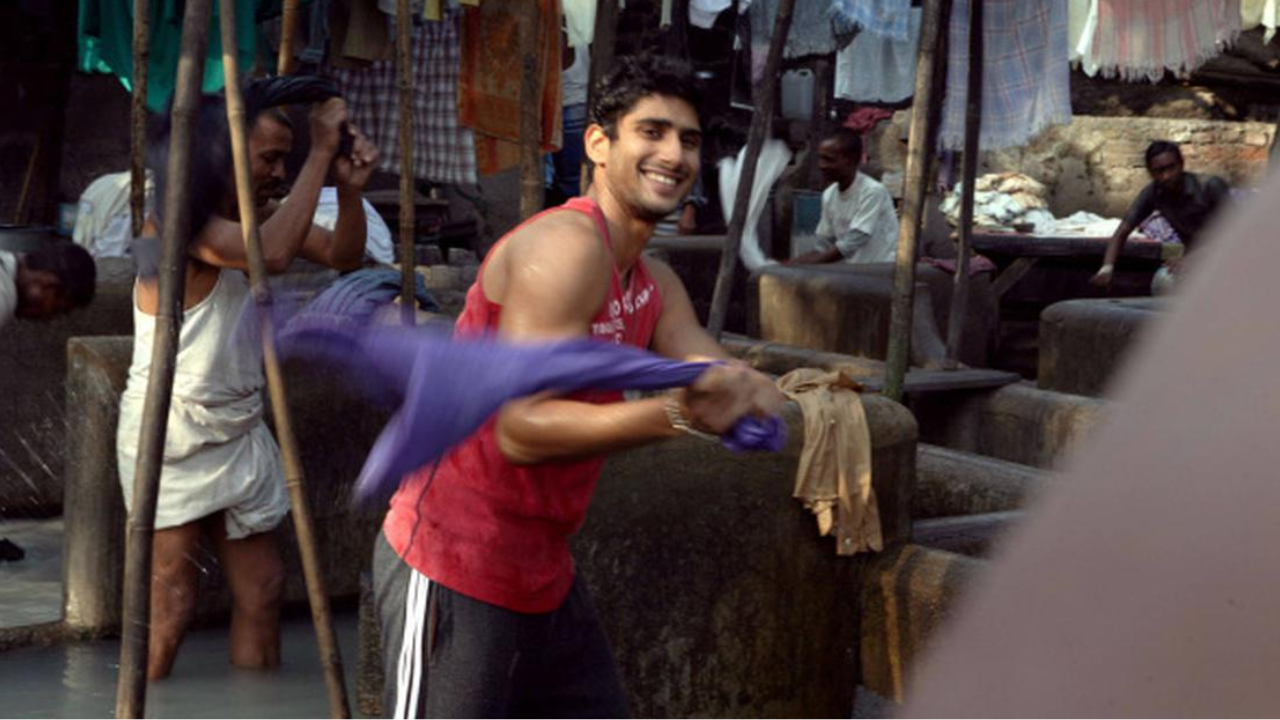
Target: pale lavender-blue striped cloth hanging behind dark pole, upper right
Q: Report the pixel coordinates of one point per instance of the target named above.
(1026, 84)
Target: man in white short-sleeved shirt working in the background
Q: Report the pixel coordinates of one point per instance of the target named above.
(858, 221)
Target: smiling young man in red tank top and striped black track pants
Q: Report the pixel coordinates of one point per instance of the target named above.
(479, 605)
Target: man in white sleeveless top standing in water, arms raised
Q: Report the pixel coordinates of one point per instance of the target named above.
(222, 477)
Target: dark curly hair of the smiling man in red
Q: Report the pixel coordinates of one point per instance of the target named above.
(637, 78)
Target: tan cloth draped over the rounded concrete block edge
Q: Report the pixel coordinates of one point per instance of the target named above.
(835, 475)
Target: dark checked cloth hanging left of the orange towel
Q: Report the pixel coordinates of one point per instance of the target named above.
(444, 151)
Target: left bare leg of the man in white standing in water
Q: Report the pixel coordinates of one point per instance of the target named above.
(175, 581)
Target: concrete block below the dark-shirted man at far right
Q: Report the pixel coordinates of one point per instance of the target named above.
(1084, 343)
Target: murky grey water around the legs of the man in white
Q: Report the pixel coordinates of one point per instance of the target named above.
(79, 680)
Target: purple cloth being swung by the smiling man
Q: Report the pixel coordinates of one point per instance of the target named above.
(450, 386)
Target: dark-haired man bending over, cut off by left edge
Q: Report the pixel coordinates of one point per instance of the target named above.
(45, 284)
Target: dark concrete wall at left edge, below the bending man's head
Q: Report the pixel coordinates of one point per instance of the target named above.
(33, 399)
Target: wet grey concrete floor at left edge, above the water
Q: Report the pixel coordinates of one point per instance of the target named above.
(31, 590)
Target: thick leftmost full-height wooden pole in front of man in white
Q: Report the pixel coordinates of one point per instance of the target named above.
(131, 691)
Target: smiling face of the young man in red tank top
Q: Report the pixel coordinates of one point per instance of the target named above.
(655, 158)
